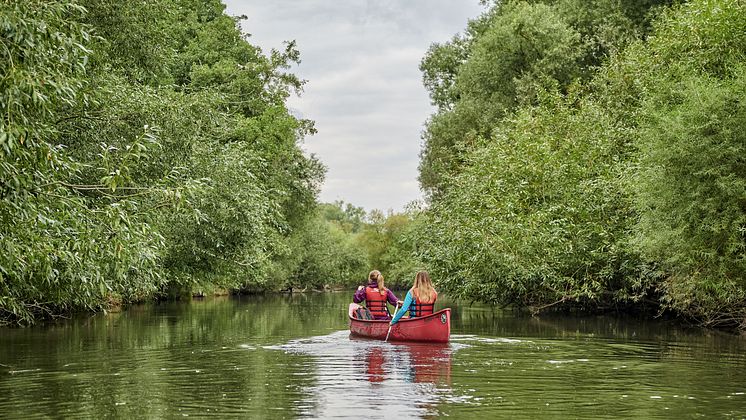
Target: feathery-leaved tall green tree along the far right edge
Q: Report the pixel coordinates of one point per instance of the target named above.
(690, 179)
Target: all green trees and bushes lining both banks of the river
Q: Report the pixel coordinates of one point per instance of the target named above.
(583, 156)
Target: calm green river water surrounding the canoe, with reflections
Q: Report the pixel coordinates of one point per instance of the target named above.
(287, 356)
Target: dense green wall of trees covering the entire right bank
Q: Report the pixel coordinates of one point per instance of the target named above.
(591, 153)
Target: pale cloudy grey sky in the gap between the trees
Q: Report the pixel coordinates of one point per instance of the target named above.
(364, 88)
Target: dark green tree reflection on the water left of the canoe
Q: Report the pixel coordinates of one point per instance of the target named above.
(157, 359)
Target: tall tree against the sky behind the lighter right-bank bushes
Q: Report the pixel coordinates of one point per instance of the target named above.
(507, 57)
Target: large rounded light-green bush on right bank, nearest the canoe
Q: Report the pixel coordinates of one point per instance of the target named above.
(538, 215)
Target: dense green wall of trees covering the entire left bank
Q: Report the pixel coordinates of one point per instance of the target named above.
(146, 149)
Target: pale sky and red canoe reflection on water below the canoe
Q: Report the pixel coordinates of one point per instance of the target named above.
(358, 377)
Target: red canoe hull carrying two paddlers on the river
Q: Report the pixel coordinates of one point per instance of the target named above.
(435, 328)
